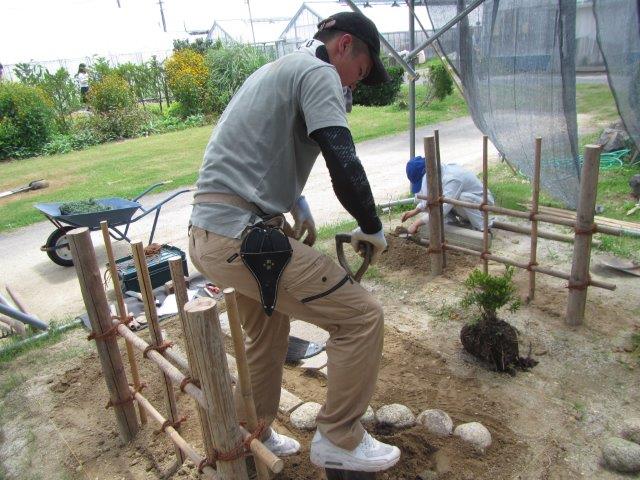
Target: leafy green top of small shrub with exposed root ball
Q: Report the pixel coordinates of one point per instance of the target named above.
(490, 293)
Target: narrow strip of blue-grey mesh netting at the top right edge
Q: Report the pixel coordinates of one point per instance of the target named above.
(618, 23)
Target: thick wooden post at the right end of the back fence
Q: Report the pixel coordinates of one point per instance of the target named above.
(584, 231)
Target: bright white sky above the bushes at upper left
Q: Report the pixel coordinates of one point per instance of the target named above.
(46, 30)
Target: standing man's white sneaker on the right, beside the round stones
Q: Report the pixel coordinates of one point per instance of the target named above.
(370, 456)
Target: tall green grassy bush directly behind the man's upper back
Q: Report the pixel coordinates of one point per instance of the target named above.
(229, 67)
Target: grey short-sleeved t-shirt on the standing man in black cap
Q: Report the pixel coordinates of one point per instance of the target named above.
(260, 149)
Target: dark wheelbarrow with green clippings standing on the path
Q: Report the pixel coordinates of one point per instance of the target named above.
(121, 213)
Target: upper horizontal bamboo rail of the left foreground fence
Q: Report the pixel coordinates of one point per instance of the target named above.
(274, 463)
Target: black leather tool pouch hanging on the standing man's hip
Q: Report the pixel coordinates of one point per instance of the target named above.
(266, 252)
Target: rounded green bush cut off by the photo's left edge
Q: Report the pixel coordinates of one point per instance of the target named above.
(26, 120)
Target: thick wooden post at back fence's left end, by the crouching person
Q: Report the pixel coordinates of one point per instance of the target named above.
(433, 181)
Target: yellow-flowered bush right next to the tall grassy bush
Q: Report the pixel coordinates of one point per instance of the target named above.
(186, 76)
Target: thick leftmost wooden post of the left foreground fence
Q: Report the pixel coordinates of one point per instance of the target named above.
(86, 265)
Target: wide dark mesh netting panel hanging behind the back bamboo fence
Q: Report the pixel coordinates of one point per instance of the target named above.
(515, 59)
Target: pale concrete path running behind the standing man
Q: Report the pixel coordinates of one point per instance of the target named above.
(52, 293)
